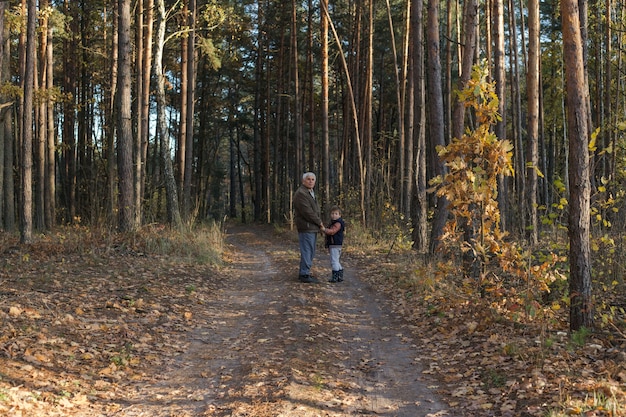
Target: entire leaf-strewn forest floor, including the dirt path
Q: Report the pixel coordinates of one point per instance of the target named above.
(181, 324)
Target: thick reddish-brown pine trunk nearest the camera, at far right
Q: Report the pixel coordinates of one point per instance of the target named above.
(581, 309)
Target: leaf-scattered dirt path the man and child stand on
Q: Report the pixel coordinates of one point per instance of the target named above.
(277, 347)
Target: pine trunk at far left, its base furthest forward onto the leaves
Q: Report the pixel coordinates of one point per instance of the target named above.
(26, 167)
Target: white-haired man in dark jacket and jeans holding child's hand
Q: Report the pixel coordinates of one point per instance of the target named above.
(308, 223)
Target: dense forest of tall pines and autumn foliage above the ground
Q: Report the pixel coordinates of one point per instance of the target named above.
(497, 126)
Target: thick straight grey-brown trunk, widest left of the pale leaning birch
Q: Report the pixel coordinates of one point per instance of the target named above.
(127, 219)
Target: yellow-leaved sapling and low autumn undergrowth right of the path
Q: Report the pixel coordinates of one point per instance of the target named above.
(484, 285)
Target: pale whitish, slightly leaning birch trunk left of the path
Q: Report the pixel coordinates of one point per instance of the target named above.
(173, 211)
